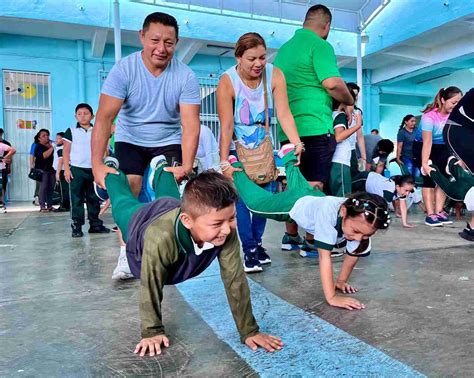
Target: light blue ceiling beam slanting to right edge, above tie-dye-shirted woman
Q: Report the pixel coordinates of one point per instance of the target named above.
(440, 56)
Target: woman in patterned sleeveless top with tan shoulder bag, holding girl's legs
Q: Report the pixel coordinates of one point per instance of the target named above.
(247, 95)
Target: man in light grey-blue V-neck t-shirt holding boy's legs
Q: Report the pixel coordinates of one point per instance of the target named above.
(157, 99)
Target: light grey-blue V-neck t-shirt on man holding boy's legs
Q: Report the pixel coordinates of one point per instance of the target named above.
(149, 116)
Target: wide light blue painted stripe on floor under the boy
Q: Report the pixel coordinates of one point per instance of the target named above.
(312, 345)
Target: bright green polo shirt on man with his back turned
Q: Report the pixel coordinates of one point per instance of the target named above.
(306, 61)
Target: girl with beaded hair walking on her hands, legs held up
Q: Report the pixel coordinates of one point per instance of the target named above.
(332, 221)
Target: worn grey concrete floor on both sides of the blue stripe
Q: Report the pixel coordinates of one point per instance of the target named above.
(62, 315)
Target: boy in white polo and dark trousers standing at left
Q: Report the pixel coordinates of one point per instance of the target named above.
(78, 173)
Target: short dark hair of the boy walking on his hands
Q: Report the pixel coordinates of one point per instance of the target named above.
(206, 191)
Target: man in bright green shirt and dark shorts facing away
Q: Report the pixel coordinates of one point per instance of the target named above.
(309, 64)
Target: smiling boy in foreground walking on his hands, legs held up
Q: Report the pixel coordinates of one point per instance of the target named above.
(169, 241)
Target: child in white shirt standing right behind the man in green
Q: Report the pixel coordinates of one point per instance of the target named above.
(340, 180)
